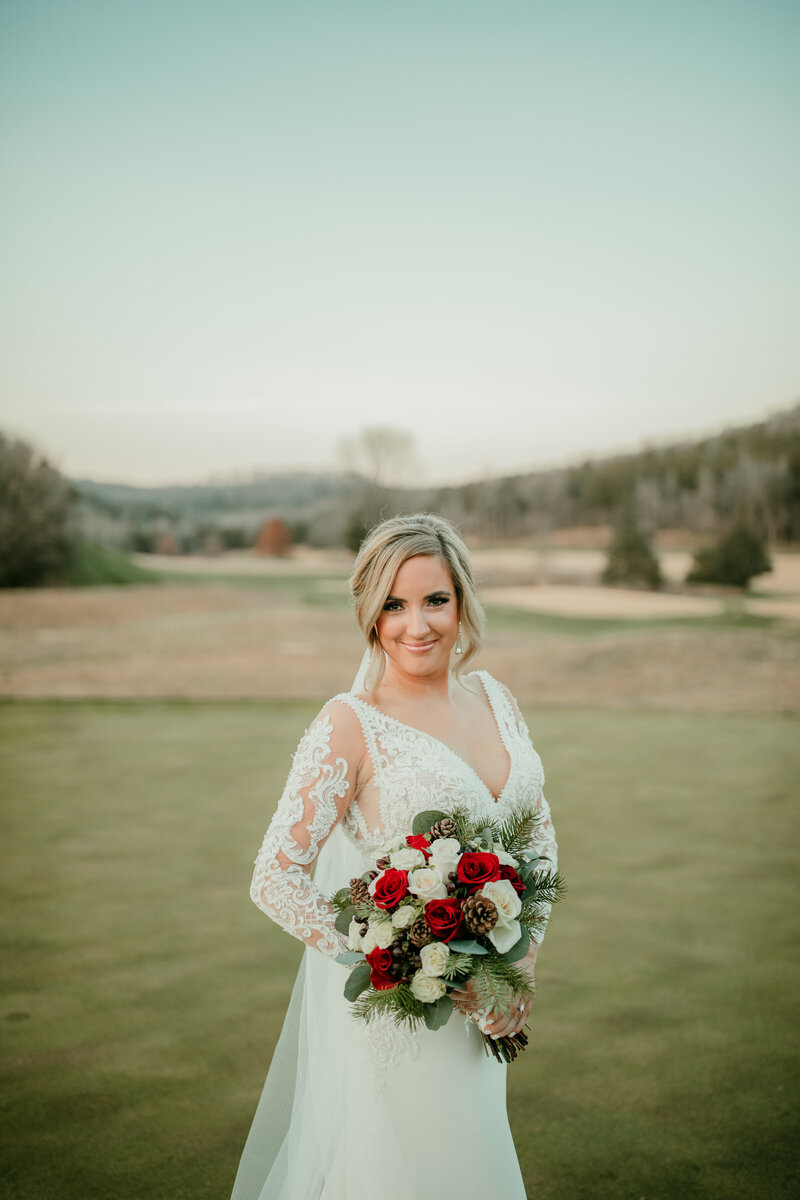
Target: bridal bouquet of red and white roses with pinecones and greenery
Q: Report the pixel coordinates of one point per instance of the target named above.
(450, 904)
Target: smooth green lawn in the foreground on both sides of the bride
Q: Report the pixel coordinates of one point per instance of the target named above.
(143, 992)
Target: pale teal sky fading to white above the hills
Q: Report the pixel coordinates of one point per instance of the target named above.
(236, 233)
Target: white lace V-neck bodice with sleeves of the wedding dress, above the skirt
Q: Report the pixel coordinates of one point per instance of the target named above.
(412, 771)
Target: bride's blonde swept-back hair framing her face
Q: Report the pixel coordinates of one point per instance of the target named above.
(381, 557)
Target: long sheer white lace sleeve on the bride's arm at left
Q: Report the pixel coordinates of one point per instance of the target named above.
(317, 794)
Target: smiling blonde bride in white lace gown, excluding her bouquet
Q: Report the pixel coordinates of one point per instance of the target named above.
(354, 1112)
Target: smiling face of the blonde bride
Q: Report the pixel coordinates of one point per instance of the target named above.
(419, 625)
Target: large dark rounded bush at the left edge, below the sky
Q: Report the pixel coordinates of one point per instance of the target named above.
(35, 518)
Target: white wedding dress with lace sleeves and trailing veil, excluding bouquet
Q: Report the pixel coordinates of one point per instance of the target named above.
(356, 1112)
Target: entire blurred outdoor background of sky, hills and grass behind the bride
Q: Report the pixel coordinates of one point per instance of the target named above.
(273, 273)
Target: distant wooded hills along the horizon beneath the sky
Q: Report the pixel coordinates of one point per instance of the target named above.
(749, 472)
